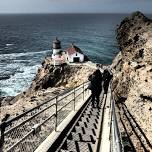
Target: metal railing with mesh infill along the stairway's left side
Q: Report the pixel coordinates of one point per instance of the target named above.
(26, 131)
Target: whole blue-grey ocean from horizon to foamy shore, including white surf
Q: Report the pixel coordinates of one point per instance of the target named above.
(25, 40)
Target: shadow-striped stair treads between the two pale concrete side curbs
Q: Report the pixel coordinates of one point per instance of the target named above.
(84, 132)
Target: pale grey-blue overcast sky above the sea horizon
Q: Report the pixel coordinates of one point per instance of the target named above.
(75, 6)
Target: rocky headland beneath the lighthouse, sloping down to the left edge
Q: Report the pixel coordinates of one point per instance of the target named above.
(48, 82)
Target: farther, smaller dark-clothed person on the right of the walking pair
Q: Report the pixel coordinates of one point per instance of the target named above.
(107, 76)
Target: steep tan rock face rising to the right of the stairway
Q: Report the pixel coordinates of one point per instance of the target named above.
(132, 68)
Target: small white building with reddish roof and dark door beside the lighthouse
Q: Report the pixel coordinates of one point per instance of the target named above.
(75, 55)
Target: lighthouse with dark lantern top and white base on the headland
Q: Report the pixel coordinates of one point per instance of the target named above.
(58, 55)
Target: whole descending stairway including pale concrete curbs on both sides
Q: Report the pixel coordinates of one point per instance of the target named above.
(90, 130)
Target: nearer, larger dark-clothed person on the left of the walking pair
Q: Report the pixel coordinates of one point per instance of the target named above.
(95, 86)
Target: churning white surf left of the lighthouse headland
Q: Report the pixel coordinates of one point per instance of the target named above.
(21, 67)
